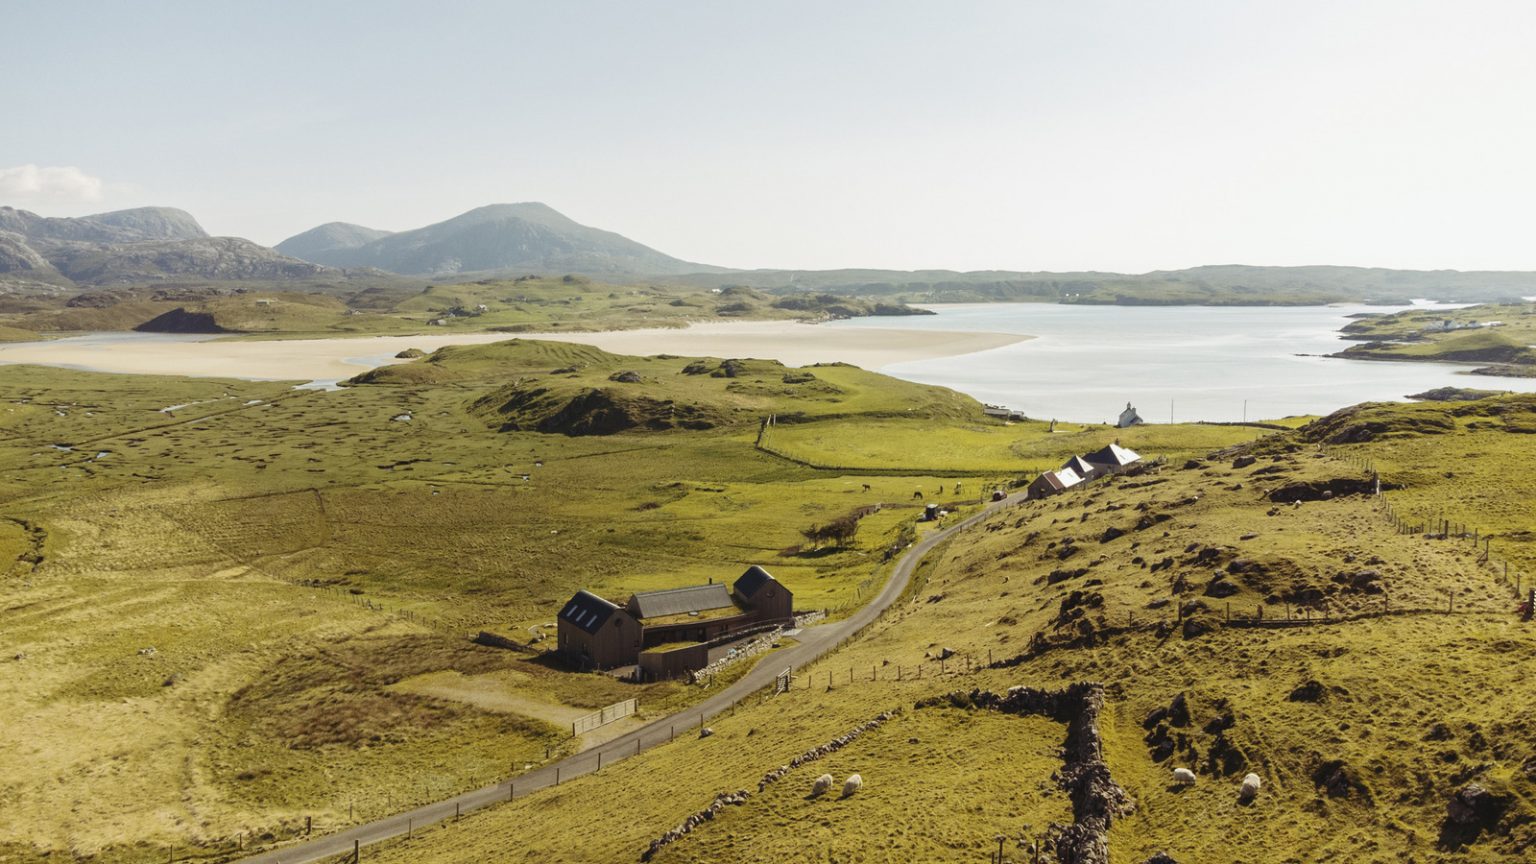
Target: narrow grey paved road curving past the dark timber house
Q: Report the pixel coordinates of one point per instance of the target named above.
(813, 643)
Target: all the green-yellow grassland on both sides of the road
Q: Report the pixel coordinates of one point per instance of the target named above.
(256, 610)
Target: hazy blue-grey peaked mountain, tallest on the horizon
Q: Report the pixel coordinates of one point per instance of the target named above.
(528, 238)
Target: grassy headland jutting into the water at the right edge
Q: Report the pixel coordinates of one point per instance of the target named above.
(1422, 334)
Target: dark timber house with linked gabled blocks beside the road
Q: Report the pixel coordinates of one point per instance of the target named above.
(669, 633)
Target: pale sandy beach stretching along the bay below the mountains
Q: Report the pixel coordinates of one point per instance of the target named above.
(331, 359)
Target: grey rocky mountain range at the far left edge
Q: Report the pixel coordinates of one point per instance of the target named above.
(130, 247)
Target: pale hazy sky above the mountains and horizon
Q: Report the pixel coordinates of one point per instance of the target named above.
(1122, 136)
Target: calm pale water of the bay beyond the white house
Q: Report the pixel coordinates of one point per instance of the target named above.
(1173, 362)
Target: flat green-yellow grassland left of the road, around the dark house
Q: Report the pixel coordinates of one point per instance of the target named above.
(254, 606)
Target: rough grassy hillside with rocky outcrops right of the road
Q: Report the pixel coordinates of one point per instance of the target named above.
(1360, 728)
